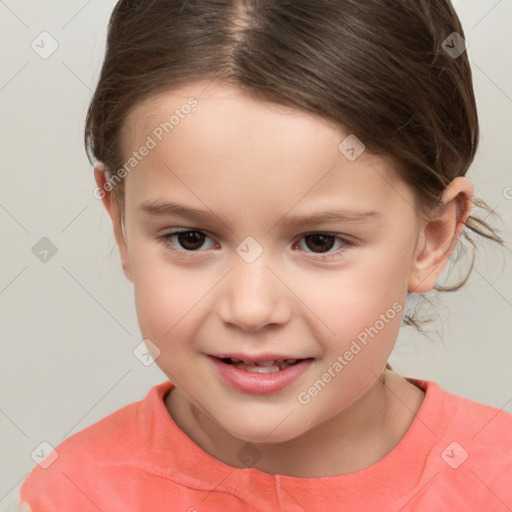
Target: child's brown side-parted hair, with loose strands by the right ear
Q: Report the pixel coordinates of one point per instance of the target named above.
(376, 68)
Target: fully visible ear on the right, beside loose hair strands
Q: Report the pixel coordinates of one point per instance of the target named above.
(439, 234)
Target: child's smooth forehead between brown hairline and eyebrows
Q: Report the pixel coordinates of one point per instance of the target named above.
(214, 140)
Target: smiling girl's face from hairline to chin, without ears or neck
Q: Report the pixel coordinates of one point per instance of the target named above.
(251, 281)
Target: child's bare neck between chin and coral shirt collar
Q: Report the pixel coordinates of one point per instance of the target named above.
(353, 440)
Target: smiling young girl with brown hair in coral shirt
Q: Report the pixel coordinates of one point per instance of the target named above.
(280, 177)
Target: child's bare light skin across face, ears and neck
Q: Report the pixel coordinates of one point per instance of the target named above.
(252, 163)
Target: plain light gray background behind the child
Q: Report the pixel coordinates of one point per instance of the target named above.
(69, 325)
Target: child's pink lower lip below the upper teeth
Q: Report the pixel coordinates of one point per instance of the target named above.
(260, 383)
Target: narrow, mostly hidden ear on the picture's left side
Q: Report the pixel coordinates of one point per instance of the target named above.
(111, 205)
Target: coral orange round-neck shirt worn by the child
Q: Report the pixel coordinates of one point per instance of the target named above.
(456, 456)
